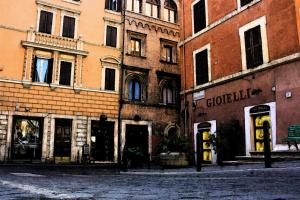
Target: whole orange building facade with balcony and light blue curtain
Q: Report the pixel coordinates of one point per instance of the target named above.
(59, 72)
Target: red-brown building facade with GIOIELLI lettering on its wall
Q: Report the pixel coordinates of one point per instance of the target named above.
(240, 67)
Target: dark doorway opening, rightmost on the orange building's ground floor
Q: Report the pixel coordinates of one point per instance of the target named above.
(102, 141)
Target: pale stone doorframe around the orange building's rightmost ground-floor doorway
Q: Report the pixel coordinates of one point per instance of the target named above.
(89, 132)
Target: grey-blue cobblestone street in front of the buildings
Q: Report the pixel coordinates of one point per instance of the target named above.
(240, 182)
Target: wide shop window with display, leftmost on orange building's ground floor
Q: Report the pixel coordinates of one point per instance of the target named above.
(27, 139)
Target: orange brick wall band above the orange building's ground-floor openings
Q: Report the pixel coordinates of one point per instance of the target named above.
(41, 99)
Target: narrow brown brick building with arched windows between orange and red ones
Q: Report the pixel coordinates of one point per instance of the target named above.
(150, 74)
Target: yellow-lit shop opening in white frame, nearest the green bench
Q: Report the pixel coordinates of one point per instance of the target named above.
(260, 114)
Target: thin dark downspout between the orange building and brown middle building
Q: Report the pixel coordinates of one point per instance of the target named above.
(121, 87)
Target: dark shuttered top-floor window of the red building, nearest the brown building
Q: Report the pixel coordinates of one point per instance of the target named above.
(199, 15)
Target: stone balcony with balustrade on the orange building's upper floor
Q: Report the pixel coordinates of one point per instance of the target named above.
(53, 42)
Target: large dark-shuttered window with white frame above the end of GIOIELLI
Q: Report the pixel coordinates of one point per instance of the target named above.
(254, 46)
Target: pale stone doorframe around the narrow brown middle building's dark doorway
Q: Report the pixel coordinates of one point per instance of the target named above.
(132, 122)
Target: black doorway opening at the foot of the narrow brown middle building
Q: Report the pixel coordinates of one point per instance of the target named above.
(137, 145)
